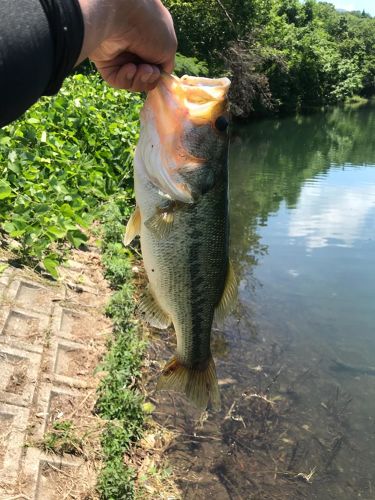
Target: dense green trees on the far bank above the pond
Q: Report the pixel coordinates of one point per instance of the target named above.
(283, 55)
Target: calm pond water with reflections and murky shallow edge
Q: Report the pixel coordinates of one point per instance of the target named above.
(296, 360)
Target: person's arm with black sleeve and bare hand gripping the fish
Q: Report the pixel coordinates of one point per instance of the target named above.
(130, 41)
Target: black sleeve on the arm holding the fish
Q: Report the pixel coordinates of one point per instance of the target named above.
(40, 42)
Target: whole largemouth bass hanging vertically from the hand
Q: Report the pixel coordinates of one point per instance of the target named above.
(181, 188)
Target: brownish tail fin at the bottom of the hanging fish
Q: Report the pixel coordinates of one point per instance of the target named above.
(199, 386)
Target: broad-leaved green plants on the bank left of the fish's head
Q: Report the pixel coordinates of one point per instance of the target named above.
(61, 161)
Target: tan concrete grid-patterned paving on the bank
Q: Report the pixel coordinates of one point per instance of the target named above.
(51, 339)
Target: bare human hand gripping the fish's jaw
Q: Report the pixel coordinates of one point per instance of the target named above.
(130, 41)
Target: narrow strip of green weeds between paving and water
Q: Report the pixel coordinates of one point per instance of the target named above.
(119, 400)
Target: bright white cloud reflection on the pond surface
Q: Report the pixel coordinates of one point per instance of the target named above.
(336, 210)
